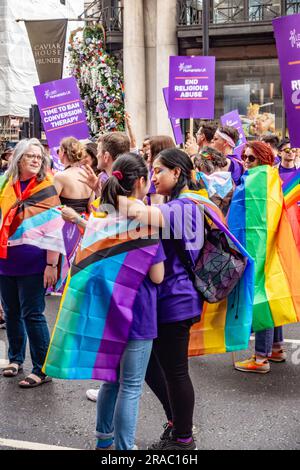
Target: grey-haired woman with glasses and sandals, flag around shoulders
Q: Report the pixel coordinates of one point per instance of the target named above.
(25, 270)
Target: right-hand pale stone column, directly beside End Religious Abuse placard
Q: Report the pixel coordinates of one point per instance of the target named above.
(160, 43)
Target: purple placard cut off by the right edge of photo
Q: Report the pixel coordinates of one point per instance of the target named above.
(287, 35)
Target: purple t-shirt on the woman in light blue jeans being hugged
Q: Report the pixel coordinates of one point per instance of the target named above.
(144, 324)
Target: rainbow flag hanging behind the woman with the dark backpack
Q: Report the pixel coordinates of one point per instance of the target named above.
(225, 326)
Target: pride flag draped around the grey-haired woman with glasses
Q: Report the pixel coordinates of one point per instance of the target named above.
(37, 221)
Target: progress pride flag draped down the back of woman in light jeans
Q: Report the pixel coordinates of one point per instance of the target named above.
(95, 315)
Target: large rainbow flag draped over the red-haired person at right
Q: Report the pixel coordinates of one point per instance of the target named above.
(259, 218)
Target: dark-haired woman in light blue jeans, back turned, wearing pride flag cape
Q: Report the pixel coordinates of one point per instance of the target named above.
(117, 403)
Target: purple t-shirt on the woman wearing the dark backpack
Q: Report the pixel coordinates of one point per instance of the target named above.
(177, 298)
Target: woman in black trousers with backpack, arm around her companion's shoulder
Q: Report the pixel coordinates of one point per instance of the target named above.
(179, 304)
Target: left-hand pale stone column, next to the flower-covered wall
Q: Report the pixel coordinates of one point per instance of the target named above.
(134, 65)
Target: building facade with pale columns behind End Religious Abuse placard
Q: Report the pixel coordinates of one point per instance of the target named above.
(240, 37)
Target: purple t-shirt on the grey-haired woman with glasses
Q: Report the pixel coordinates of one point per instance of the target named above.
(23, 260)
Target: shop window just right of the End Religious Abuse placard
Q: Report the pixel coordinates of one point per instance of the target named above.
(253, 87)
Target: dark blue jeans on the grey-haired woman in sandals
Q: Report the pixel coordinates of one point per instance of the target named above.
(23, 302)
